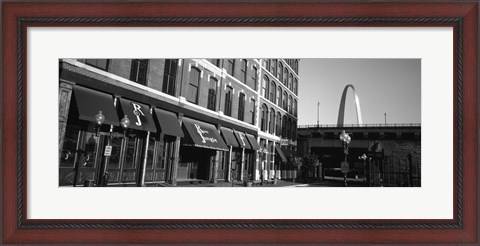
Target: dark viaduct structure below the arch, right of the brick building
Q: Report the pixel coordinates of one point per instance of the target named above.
(378, 154)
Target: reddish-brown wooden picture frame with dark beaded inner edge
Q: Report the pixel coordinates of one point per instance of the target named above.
(18, 16)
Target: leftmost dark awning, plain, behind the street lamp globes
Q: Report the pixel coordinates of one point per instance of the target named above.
(90, 102)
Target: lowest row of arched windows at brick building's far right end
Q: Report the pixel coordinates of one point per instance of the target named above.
(276, 124)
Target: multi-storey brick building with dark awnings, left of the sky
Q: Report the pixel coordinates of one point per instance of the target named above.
(155, 121)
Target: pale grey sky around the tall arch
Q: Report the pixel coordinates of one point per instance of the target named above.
(390, 86)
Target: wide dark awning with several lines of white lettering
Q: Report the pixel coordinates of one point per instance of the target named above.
(203, 135)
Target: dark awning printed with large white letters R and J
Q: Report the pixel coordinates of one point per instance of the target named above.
(138, 114)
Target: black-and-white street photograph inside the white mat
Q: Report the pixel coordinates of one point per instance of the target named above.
(257, 122)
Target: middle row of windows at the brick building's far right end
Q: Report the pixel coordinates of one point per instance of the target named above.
(275, 95)
